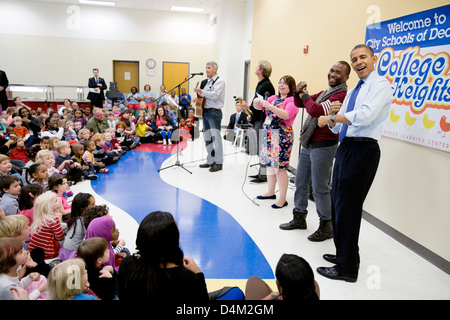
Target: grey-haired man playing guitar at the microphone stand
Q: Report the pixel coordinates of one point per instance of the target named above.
(212, 92)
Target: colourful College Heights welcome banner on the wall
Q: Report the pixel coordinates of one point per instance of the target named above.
(414, 55)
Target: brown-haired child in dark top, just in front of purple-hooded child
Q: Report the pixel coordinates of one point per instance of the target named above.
(102, 279)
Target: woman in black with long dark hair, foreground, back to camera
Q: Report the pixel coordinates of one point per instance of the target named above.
(159, 270)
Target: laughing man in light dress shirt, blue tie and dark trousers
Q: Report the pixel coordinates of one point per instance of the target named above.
(359, 123)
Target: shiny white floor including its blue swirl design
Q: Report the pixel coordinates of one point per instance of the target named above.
(232, 236)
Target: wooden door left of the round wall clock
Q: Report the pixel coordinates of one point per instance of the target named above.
(126, 74)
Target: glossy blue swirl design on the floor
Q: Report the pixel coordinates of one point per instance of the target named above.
(212, 237)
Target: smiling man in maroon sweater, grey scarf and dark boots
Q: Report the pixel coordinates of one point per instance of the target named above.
(319, 147)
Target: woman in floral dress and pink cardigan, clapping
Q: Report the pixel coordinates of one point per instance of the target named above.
(278, 138)
